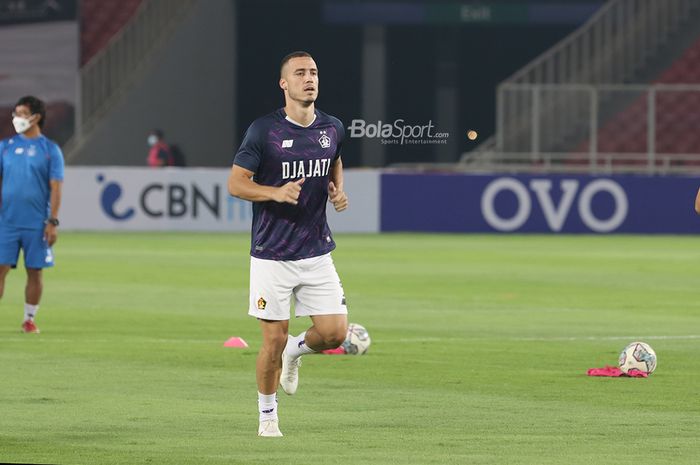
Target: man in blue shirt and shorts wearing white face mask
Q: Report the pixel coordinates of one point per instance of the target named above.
(31, 176)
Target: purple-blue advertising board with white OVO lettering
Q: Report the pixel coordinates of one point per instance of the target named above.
(538, 204)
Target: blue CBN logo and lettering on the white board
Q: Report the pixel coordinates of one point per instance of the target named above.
(172, 200)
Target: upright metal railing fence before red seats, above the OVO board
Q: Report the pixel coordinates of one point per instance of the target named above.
(640, 128)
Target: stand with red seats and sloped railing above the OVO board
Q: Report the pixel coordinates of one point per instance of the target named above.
(593, 90)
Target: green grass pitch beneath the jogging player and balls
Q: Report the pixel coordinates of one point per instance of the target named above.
(479, 355)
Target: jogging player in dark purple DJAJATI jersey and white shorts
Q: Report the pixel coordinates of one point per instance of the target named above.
(289, 165)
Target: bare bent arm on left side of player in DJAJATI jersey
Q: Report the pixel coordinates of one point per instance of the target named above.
(241, 185)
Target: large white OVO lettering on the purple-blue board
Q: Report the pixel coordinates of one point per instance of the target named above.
(555, 215)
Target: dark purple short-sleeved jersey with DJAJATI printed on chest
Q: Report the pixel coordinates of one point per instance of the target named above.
(278, 151)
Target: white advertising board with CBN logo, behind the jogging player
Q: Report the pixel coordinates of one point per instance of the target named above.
(195, 199)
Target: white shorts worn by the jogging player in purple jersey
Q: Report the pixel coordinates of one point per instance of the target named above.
(313, 282)
